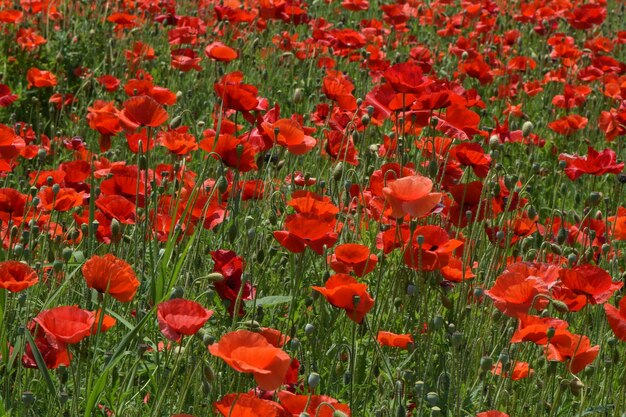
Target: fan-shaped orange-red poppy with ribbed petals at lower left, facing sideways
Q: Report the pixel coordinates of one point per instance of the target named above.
(108, 274)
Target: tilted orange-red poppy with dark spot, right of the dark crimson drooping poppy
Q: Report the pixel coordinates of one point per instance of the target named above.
(344, 291)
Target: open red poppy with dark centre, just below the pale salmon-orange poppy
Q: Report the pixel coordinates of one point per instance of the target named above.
(434, 252)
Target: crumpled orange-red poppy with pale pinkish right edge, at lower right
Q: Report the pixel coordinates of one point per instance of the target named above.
(515, 293)
